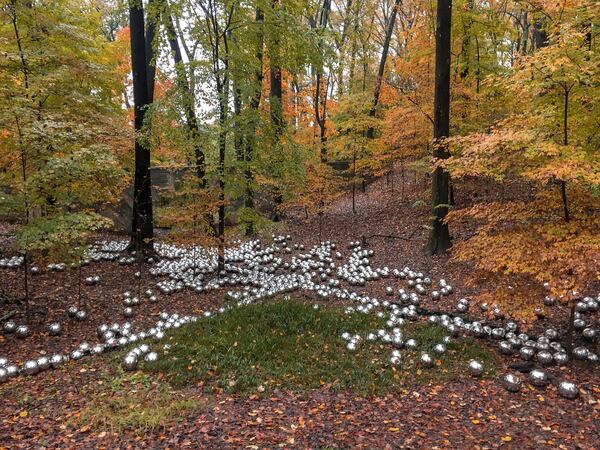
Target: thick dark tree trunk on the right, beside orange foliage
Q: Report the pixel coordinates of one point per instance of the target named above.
(439, 236)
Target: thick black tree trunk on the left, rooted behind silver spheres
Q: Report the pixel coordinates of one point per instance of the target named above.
(142, 219)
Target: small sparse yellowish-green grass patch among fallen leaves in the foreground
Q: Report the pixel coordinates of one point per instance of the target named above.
(135, 402)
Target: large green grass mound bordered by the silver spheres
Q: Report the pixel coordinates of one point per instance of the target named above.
(290, 344)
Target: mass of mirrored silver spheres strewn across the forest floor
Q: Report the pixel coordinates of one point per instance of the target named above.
(254, 272)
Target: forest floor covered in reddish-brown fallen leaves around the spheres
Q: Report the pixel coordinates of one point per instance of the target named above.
(94, 404)
